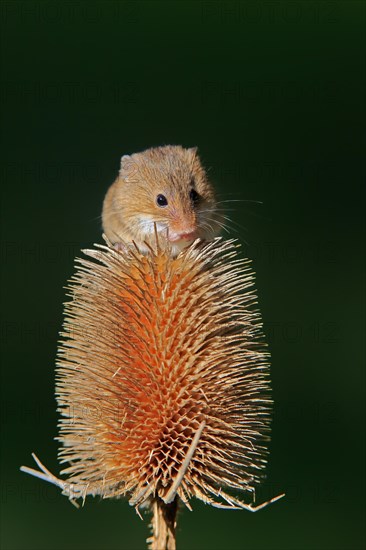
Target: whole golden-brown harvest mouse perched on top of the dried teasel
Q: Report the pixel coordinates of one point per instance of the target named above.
(166, 186)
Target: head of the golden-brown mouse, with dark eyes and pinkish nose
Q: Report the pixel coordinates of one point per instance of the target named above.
(168, 186)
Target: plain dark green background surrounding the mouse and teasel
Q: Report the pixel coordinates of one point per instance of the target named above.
(272, 93)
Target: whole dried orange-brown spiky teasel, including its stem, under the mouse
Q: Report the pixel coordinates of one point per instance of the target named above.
(162, 381)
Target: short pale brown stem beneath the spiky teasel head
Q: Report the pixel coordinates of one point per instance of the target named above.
(163, 525)
